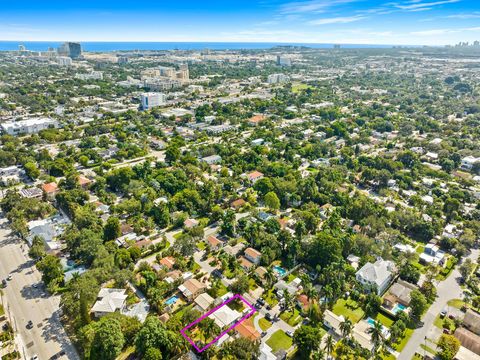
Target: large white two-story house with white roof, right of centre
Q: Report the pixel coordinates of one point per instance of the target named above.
(379, 275)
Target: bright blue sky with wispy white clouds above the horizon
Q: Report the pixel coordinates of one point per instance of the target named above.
(414, 22)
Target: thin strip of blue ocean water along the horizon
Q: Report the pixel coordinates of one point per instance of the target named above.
(131, 46)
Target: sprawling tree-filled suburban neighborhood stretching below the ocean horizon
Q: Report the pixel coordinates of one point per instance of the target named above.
(335, 190)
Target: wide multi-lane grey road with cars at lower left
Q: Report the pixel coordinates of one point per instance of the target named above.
(24, 299)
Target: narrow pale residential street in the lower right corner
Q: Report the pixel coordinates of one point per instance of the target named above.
(446, 290)
